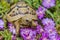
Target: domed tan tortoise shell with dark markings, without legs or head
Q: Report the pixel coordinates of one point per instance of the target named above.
(21, 10)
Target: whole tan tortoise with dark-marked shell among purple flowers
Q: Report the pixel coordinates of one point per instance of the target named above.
(21, 15)
